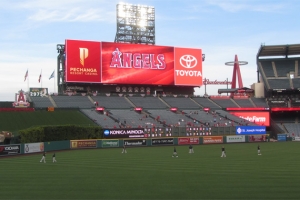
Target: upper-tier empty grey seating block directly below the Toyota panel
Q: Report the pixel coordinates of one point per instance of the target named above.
(181, 102)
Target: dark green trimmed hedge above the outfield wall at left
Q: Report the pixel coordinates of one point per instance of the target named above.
(57, 133)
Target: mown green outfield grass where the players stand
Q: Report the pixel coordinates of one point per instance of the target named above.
(152, 173)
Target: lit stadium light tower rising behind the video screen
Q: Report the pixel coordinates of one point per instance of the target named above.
(135, 24)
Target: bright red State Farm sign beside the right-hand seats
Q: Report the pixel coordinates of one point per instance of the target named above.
(259, 118)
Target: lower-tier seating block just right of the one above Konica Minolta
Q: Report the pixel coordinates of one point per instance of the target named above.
(169, 118)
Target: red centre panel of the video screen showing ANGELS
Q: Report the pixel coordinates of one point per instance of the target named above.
(137, 64)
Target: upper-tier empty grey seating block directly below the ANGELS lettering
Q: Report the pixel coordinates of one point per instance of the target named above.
(148, 102)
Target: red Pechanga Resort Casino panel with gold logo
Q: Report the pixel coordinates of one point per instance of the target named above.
(83, 61)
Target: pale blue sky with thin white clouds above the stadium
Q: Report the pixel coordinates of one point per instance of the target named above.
(31, 29)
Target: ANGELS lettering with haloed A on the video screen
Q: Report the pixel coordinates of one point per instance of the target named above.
(137, 60)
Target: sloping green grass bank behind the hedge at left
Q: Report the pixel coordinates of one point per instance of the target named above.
(15, 121)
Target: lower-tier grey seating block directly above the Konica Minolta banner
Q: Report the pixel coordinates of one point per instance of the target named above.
(129, 118)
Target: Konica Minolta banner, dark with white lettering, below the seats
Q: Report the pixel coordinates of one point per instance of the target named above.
(124, 133)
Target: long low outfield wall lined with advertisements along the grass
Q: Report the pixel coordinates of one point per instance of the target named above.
(30, 148)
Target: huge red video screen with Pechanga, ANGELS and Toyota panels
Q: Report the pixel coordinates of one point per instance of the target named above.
(121, 63)
